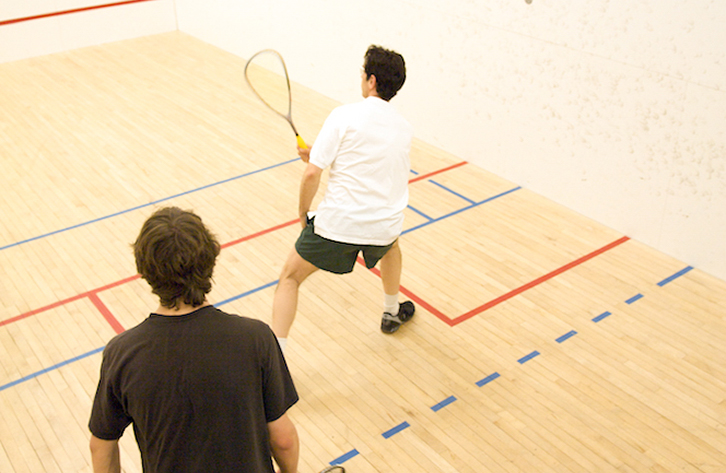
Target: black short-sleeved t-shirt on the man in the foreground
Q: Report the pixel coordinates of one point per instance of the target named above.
(198, 388)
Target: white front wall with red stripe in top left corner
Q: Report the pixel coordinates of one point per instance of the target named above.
(76, 30)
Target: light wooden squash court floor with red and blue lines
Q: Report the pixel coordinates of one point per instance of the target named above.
(543, 341)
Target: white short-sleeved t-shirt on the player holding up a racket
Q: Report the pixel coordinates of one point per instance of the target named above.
(366, 145)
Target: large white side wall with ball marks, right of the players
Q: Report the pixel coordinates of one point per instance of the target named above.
(614, 109)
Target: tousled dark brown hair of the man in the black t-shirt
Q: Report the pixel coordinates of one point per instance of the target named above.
(175, 253)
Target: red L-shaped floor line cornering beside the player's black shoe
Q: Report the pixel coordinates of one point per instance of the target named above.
(455, 321)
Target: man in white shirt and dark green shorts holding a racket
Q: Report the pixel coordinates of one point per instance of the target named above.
(366, 145)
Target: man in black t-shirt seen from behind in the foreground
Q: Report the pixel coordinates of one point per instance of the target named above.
(204, 390)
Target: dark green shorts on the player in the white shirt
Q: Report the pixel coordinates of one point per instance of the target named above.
(335, 256)
